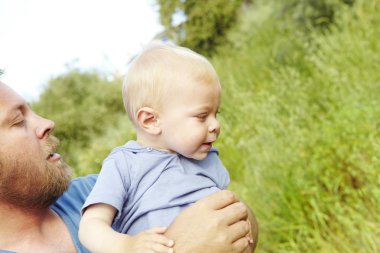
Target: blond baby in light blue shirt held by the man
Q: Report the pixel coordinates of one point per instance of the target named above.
(172, 96)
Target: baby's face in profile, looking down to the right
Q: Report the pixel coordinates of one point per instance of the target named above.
(188, 120)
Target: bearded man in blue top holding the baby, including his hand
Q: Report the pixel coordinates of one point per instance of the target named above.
(40, 207)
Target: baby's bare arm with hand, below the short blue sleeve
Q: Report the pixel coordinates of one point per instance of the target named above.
(97, 235)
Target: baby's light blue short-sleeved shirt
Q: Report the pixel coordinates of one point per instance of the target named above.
(149, 187)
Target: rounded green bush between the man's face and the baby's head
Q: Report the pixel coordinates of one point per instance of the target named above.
(83, 105)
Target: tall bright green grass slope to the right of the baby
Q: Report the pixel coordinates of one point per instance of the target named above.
(301, 117)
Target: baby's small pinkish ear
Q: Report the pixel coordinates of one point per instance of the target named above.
(147, 118)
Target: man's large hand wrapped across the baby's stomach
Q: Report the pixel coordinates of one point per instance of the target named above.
(216, 223)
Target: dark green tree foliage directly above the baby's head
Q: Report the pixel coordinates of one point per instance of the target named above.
(205, 23)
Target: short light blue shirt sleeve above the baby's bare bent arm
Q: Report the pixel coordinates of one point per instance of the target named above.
(112, 184)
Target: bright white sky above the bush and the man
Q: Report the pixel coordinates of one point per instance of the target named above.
(41, 39)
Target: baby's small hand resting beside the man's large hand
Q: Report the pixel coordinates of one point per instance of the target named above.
(151, 241)
